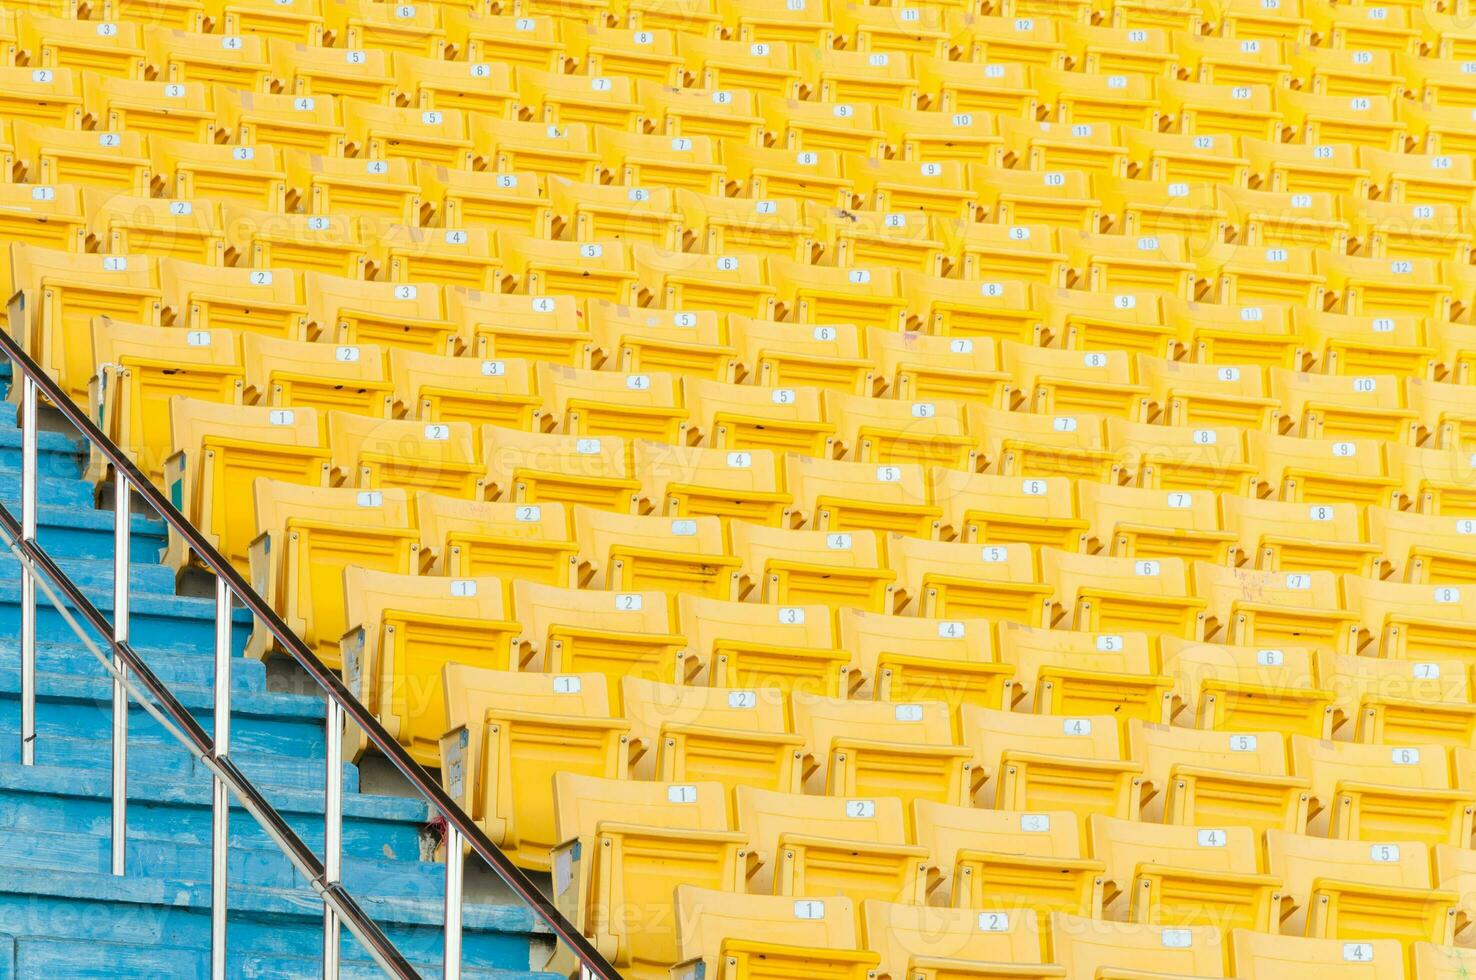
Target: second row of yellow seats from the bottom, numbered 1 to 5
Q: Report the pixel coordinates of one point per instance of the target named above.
(615, 835)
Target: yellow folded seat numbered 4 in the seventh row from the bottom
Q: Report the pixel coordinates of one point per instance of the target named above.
(607, 404)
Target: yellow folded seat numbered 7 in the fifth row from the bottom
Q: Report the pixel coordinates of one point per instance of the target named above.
(1294, 609)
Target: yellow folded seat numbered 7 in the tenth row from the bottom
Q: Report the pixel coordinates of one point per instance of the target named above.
(718, 225)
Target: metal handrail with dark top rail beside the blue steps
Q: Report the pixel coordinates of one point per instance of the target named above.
(339, 904)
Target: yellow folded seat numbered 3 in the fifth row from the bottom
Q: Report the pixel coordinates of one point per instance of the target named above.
(628, 554)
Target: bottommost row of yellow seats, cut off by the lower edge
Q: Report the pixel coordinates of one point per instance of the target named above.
(746, 936)
